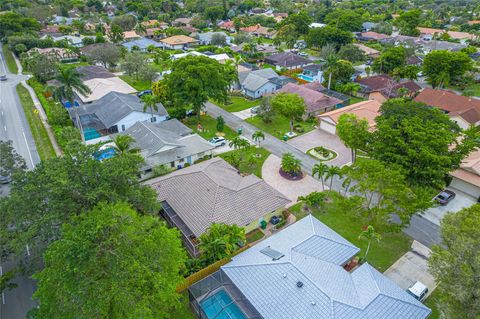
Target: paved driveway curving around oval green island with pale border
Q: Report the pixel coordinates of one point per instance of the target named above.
(318, 137)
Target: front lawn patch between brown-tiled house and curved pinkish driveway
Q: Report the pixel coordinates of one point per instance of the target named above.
(247, 167)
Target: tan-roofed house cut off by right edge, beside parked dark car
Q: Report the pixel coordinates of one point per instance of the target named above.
(467, 177)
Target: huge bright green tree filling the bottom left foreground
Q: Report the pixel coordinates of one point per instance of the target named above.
(111, 263)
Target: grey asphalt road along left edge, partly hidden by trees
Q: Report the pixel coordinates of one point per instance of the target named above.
(14, 304)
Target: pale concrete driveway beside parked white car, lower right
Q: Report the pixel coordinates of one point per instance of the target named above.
(412, 267)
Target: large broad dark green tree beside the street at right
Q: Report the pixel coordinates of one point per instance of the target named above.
(422, 140)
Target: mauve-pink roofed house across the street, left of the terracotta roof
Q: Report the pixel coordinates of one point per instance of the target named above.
(315, 101)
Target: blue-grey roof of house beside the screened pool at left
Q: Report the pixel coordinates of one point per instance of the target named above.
(115, 106)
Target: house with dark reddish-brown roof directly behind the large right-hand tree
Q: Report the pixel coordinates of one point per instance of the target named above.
(382, 87)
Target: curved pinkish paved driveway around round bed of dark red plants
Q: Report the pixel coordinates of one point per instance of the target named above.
(291, 189)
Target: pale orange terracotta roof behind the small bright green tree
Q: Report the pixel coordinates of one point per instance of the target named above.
(368, 110)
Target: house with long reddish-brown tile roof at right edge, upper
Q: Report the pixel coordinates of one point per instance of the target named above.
(463, 110)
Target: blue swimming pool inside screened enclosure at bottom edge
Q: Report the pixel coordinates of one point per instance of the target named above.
(216, 307)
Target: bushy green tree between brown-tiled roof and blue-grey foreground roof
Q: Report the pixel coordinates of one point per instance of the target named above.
(220, 241)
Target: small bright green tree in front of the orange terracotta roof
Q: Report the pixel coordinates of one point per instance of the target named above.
(353, 132)
